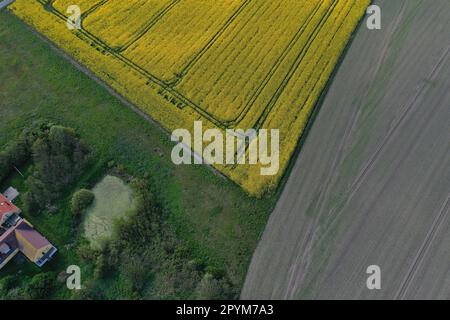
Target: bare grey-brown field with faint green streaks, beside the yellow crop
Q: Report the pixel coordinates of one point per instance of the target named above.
(372, 183)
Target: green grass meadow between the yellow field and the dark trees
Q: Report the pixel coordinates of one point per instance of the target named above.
(216, 220)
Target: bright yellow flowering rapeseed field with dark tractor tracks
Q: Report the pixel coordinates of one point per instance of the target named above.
(234, 64)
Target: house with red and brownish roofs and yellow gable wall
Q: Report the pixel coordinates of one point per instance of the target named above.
(18, 235)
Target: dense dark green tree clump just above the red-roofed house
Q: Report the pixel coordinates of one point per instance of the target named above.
(58, 156)
